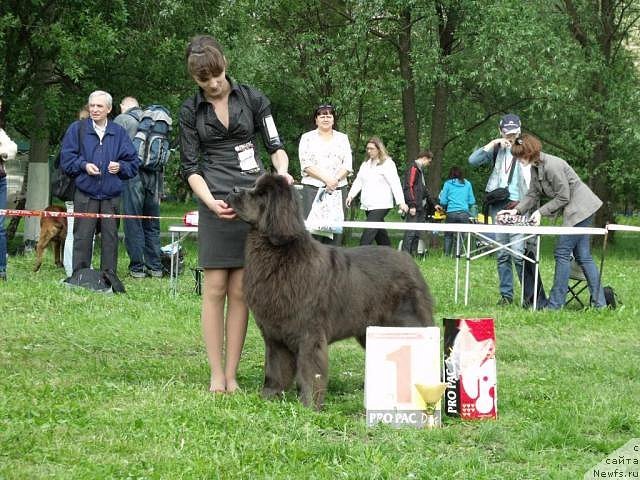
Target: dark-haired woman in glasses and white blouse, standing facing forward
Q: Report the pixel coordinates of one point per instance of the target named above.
(325, 162)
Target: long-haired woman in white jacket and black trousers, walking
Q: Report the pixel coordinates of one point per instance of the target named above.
(380, 185)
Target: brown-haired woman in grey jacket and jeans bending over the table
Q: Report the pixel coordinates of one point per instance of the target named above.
(553, 178)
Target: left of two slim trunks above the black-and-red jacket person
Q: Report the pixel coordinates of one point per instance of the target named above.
(409, 113)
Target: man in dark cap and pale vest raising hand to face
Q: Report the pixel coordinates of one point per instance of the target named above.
(498, 152)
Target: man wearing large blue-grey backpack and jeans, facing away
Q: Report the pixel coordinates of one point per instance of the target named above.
(148, 131)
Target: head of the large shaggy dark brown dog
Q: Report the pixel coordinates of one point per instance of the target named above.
(271, 207)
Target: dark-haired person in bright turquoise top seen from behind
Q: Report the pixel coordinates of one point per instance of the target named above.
(456, 198)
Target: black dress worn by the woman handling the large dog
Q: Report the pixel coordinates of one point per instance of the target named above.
(225, 157)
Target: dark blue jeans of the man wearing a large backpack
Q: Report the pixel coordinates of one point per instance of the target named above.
(141, 196)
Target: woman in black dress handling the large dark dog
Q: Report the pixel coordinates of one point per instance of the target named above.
(219, 127)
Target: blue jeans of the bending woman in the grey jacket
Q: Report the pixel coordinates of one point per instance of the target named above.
(580, 246)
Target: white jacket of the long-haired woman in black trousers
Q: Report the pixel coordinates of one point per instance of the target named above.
(380, 185)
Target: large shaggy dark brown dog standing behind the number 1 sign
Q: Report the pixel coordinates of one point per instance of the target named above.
(305, 295)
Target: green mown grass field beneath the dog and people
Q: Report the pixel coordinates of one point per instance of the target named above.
(97, 386)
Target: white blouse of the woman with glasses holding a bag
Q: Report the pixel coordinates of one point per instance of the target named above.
(330, 156)
